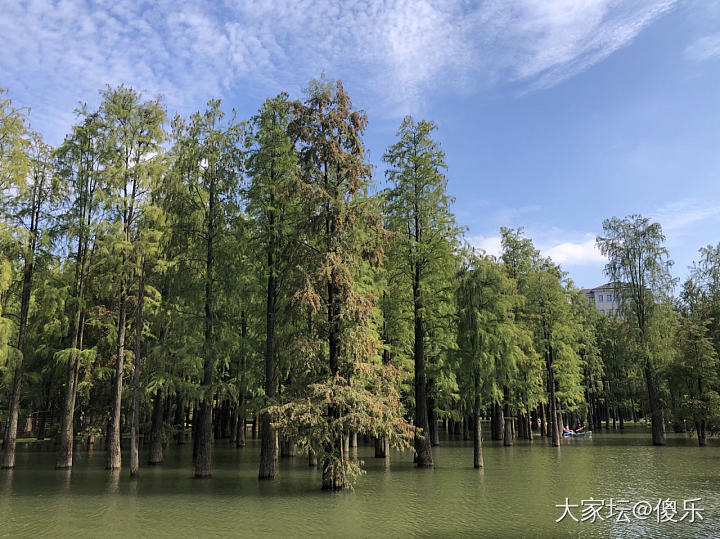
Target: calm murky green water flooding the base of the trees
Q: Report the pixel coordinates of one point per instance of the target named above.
(514, 496)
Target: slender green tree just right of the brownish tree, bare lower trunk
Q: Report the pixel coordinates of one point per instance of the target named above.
(418, 212)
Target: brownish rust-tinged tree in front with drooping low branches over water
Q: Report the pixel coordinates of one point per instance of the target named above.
(341, 244)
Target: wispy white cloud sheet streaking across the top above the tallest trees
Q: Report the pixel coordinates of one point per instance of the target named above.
(394, 52)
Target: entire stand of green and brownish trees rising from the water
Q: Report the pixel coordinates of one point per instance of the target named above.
(206, 279)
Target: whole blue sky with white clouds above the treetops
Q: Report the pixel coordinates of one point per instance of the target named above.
(554, 114)
